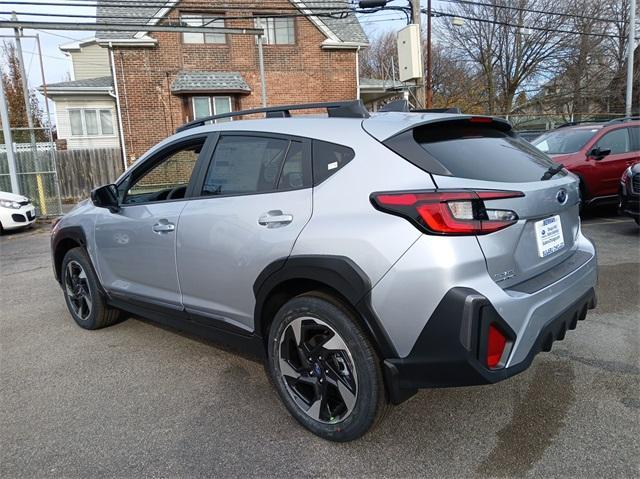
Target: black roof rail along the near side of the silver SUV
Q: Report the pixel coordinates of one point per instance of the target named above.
(338, 109)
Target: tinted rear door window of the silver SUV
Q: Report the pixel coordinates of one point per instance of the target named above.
(245, 165)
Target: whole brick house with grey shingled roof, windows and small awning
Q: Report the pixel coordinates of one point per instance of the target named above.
(164, 79)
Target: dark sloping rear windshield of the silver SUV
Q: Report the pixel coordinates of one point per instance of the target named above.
(482, 152)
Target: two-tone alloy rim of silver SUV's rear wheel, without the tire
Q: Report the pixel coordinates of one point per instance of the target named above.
(317, 369)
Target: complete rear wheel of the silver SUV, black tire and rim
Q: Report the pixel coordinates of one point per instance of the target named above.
(338, 395)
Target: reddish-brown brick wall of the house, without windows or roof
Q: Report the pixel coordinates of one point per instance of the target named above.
(299, 73)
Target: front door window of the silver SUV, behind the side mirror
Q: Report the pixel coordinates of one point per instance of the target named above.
(168, 179)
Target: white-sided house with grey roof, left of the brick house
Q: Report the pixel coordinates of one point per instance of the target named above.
(85, 107)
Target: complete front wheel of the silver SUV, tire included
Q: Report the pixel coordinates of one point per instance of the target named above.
(82, 293)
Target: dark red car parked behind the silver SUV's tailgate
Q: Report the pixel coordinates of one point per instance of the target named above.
(597, 152)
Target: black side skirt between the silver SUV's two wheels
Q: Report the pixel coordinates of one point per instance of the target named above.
(218, 332)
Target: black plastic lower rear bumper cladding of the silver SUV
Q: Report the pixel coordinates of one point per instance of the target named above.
(449, 351)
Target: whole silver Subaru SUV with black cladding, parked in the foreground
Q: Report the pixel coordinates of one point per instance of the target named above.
(362, 257)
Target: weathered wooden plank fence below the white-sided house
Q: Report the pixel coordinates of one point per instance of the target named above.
(80, 171)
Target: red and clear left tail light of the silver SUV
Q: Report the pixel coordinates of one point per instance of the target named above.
(449, 212)
